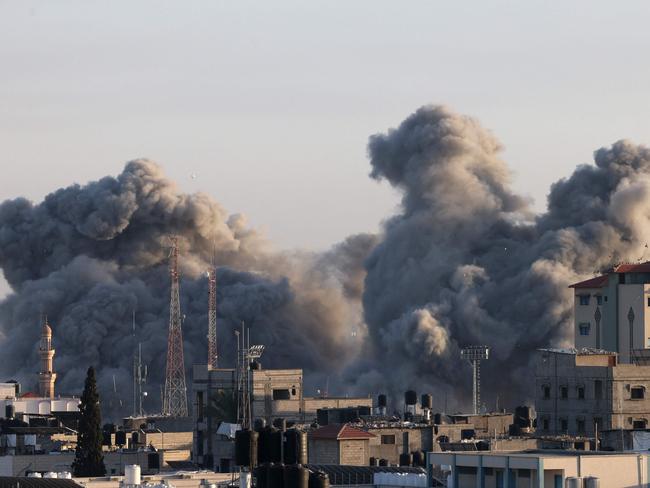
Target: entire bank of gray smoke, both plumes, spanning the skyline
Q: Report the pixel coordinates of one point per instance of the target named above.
(464, 261)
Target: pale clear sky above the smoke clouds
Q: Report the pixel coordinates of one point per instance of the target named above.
(270, 103)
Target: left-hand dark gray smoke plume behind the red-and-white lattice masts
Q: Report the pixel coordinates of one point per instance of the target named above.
(88, 256)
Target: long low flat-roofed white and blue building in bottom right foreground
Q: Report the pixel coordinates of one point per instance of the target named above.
(538, 469)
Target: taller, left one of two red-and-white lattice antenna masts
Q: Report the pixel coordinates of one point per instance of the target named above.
(175, 396)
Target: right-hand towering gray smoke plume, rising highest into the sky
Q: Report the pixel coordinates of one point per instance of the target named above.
(466, 262)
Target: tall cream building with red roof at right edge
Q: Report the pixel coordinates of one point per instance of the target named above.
(612, 311)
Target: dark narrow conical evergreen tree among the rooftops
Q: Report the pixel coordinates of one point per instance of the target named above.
(89, 460)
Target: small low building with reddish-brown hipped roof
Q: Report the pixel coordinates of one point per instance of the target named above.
(340, 444)
